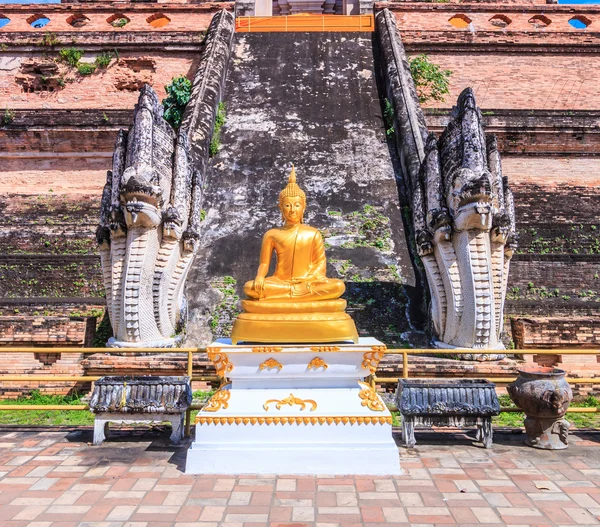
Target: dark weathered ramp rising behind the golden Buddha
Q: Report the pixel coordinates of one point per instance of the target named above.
(310, 99)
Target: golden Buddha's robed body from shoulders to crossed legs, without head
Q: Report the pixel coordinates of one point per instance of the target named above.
(300, 273)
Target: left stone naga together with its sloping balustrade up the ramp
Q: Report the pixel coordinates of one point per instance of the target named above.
(152, 201)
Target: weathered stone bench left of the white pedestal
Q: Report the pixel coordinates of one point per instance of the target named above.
(140, 400)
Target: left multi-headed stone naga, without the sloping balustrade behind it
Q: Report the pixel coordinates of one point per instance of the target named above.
(146, 237)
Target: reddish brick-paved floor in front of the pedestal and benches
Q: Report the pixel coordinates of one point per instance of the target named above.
(55, 478)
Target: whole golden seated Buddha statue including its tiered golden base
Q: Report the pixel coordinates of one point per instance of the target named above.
(298, 303)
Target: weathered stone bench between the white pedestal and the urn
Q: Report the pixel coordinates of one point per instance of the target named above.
(447, 402)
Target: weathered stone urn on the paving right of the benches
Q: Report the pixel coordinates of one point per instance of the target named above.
(544, 395)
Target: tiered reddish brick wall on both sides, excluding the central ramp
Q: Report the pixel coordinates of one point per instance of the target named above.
(54, 154)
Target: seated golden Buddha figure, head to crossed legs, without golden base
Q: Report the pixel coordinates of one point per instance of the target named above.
(300, 273)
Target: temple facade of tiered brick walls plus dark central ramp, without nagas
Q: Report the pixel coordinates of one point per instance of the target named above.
(533, 70)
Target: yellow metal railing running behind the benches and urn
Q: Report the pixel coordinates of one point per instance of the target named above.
(214, 378)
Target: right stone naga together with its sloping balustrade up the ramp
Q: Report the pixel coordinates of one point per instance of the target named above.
(462, 207)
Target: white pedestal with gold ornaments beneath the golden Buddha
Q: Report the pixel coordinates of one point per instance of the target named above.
(295, 409)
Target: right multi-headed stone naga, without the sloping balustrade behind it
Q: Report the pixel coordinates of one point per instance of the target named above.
(464, 223)
